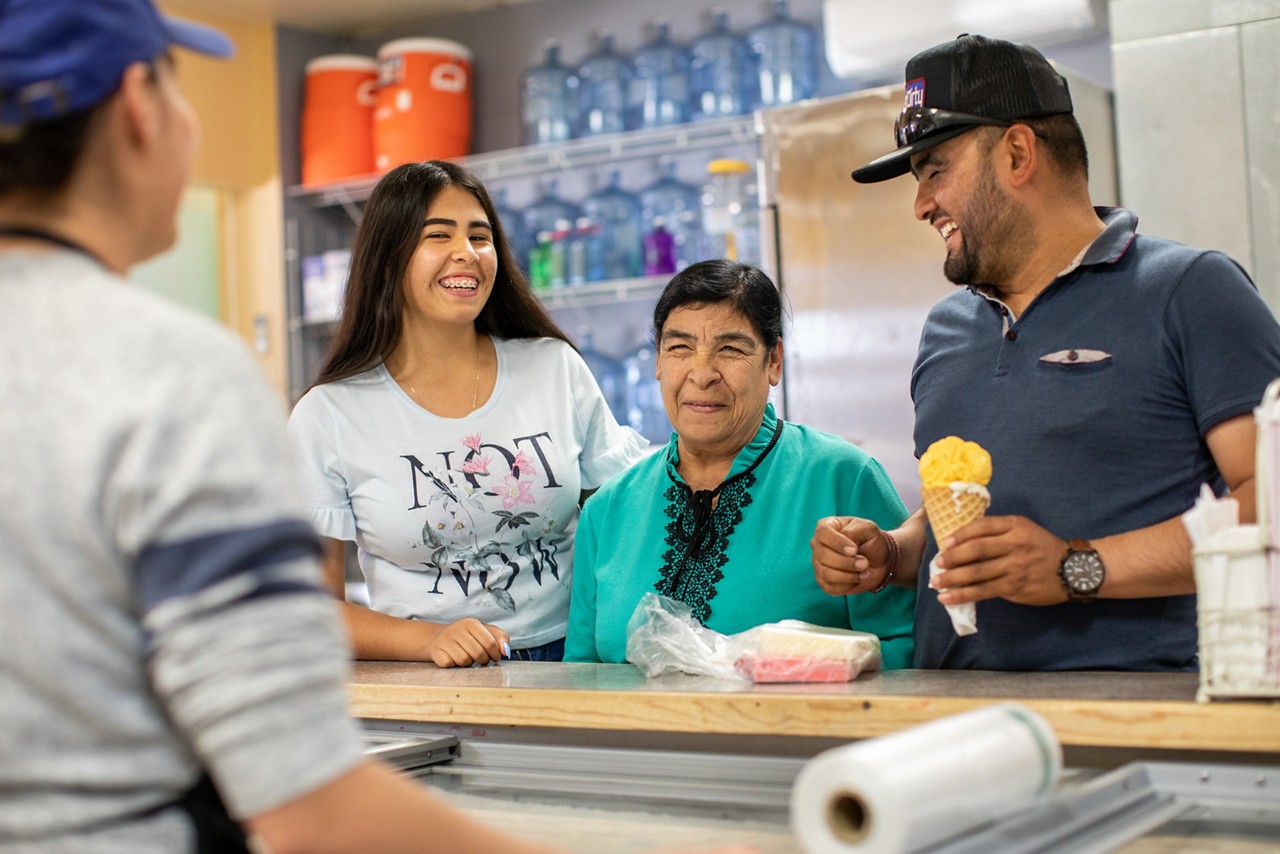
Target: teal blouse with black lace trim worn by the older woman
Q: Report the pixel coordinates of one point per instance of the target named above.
(755, 565)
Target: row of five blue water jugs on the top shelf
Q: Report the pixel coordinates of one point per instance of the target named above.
(664, 83)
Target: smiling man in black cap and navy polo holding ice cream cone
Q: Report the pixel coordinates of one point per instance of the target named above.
(1110, 375)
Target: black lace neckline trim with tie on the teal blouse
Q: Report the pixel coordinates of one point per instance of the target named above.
(698, 535)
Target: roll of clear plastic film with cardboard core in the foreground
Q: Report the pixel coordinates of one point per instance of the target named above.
(920, 787)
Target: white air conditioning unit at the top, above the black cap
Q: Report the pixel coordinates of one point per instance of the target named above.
(868, 36)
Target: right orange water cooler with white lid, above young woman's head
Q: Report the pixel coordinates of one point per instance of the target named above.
(424, 102)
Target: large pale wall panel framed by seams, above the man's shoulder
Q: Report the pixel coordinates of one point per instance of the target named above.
(1180, 118)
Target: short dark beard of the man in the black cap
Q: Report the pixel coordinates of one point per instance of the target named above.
(989, 223)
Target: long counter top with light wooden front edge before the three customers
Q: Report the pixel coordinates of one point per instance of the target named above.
(1086, 709)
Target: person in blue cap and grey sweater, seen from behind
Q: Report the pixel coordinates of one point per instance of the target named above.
(173, 675)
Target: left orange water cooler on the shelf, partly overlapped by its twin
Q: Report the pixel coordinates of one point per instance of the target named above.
(339, 118)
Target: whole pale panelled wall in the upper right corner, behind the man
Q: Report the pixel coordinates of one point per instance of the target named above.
(1199, 125)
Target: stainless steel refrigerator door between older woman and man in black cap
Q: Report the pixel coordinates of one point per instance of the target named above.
(860, 273)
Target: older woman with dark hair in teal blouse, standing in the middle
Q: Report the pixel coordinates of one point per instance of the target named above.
(721, 518)
